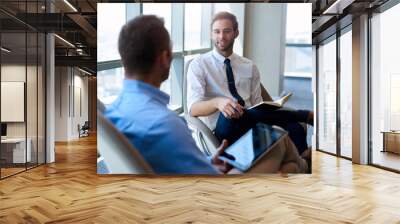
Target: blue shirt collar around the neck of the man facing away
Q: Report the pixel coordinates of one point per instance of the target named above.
(141, 87)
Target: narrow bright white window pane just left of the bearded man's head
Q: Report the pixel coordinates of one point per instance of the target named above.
(193, 26)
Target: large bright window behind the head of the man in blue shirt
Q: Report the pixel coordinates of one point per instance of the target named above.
(189, 36)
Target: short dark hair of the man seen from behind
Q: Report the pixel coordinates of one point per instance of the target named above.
(140, 42)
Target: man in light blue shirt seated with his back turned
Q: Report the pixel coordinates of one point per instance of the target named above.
(140, 112)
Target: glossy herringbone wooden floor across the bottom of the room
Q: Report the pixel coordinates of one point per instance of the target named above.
(70, 191)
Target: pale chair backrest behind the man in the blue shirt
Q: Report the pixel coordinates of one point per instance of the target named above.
(119, 155)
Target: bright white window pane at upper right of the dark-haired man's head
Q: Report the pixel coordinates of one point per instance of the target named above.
(162, 10)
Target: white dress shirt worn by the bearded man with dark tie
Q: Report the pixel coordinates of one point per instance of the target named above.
(206, 79)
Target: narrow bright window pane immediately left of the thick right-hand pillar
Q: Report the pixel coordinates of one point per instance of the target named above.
(345, 95)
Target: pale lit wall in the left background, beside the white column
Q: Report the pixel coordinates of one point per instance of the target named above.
(71, 102)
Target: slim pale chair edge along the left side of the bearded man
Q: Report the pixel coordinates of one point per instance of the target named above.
(209, 143)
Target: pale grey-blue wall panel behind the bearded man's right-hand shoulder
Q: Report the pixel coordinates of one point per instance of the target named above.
(264, 42)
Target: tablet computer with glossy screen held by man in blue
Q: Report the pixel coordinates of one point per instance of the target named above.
(246, 151)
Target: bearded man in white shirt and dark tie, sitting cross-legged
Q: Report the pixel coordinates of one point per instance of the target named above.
(221, 84)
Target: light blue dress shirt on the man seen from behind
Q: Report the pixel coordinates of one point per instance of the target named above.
(163, 139)
